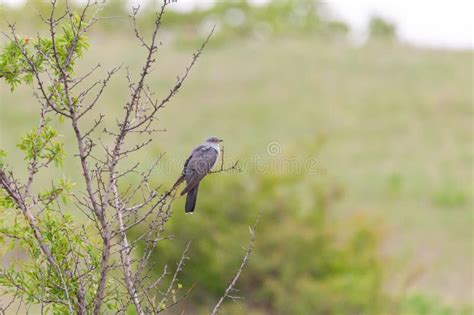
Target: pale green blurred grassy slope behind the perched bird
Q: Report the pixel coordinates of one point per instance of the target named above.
(396, 123)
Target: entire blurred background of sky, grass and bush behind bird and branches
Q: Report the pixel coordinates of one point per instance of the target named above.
(352, 123)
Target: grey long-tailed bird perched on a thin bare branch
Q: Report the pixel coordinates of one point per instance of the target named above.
(199, 164)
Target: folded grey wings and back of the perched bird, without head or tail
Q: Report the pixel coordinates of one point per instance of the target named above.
(198, 165)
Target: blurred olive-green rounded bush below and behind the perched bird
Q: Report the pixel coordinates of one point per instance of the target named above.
(303, 262)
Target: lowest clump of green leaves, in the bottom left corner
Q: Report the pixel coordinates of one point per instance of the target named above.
(32, 279)
